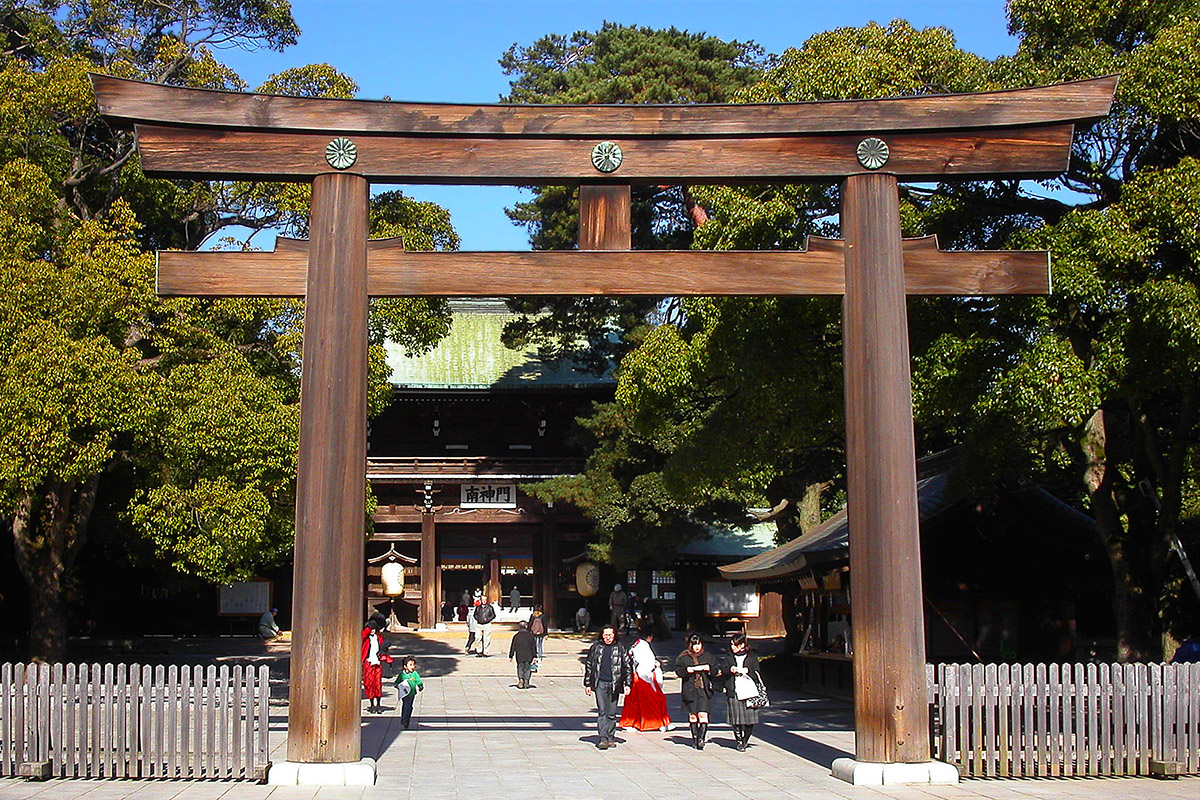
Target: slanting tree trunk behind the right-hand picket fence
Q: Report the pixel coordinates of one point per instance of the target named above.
(1132, 606)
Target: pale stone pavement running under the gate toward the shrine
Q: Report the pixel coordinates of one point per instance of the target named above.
(477, 736)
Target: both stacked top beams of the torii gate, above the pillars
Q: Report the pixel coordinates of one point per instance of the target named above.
(217, 135)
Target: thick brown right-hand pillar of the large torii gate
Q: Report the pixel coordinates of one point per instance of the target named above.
(891, 717)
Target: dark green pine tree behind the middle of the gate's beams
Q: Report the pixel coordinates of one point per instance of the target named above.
(616, 64)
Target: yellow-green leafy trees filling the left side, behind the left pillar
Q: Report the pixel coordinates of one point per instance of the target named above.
(185, 410)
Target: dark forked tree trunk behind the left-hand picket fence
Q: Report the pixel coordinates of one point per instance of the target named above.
(49, 530)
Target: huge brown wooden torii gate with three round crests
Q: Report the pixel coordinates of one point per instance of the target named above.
(341, 146)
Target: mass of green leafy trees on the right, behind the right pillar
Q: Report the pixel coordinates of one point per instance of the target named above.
(1093, 390)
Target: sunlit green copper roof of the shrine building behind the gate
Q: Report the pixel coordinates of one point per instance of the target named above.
(473, 357)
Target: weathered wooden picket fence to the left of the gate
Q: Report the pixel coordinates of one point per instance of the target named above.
(135, 721)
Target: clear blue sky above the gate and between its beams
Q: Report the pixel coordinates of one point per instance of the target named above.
(448, 51)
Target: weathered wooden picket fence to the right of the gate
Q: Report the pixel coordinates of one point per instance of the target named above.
(1065, 720)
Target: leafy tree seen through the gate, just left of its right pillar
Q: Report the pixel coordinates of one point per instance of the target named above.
(740, 399)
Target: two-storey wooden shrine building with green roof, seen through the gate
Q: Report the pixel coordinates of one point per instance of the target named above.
(470, 424)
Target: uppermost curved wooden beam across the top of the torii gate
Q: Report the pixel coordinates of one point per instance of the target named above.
(136, 103)
